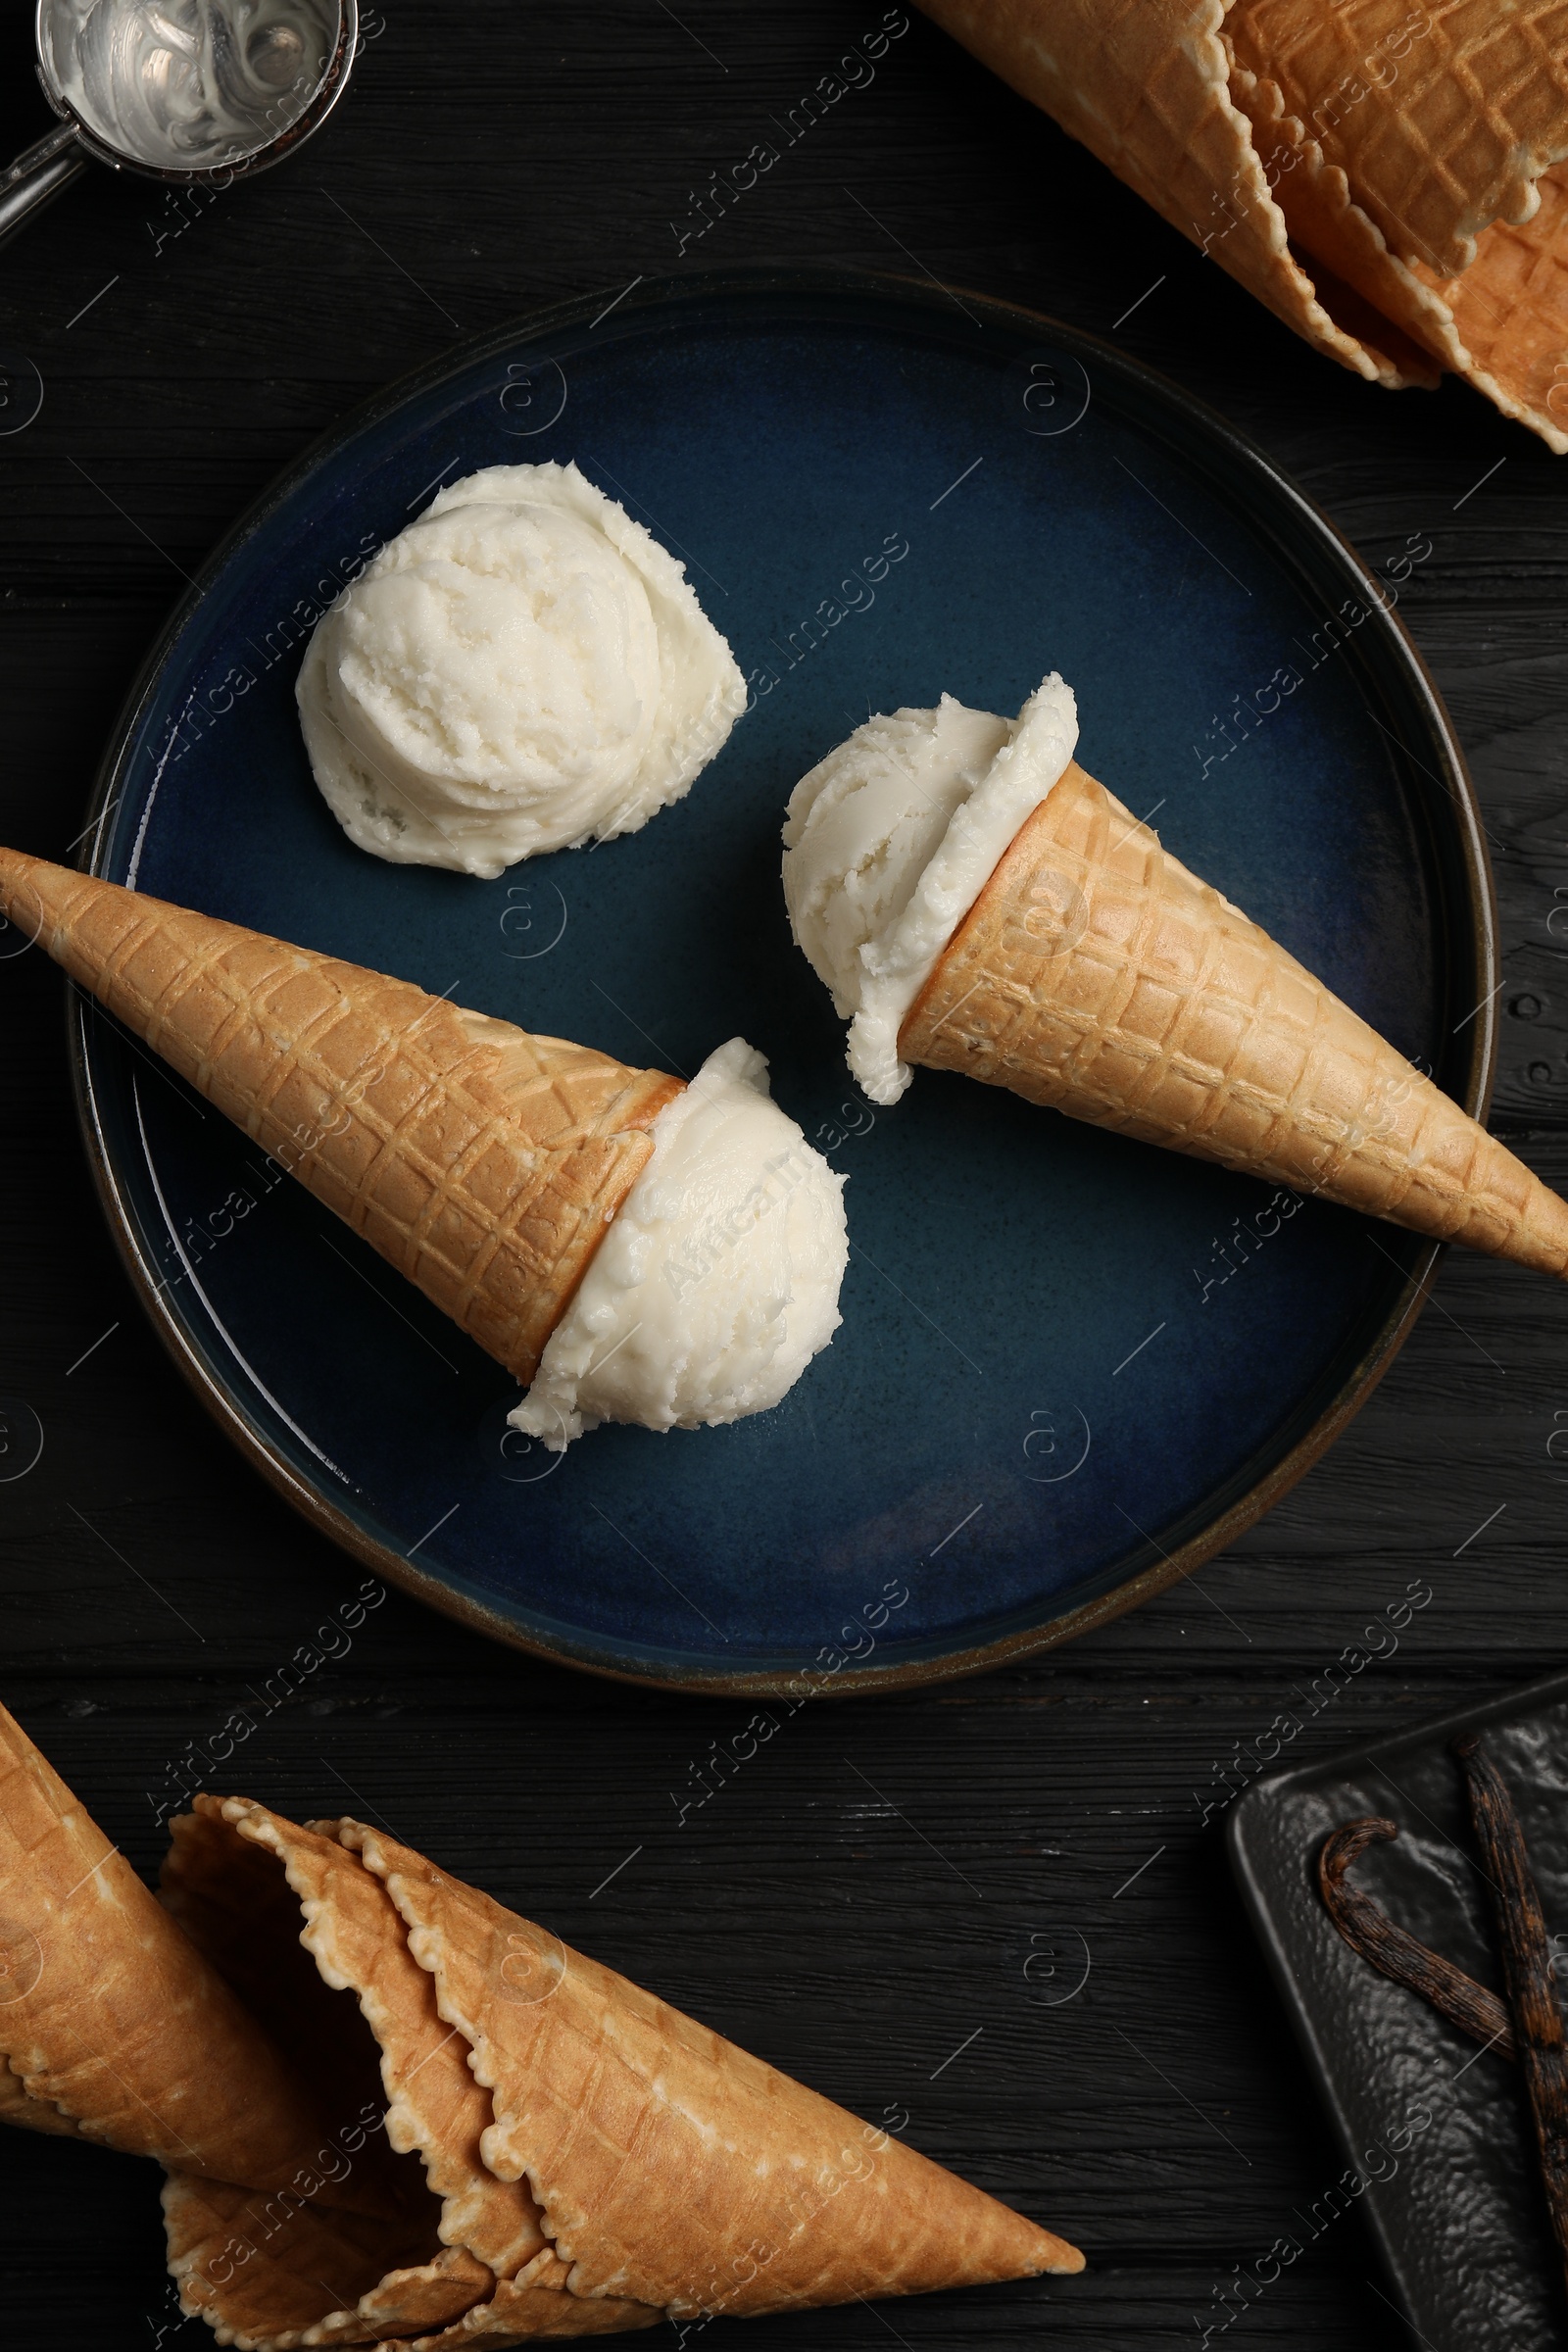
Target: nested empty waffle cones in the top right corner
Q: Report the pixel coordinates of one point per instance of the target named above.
(1388, 178)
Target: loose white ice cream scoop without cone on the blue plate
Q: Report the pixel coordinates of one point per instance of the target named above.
(523, 669)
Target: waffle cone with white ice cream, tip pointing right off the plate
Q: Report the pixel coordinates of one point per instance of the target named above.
(979, 904)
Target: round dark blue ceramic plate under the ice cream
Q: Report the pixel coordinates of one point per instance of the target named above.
(1071, 1368)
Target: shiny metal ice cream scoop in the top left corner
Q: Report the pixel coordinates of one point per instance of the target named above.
(180, 91)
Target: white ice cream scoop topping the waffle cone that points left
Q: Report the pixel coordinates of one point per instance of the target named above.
(718, 1278)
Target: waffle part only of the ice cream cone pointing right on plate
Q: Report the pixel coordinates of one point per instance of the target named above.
(1097, 975)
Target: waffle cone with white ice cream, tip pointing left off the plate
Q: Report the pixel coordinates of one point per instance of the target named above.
(488, 1165)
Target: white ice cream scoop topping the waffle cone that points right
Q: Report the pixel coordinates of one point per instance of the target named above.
(892, 838)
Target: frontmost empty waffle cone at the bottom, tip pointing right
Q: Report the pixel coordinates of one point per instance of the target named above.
(669, 2165)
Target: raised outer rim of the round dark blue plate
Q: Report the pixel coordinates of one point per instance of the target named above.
(1235, 472)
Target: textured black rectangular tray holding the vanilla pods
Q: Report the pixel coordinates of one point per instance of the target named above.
(1435, 2130)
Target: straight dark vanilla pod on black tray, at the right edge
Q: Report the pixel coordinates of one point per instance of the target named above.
(1527, 1965)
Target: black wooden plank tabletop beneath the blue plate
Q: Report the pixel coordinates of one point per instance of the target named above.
(490, 159)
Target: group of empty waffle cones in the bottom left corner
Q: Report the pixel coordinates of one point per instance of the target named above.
(502, 2139)
